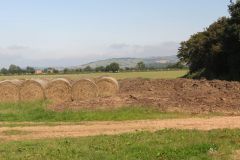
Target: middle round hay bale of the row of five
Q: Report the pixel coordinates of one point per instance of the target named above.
(59, 90)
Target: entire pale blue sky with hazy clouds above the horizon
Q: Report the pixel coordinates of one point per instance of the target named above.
(72, 32)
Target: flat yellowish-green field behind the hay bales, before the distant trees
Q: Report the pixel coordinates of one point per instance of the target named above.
(121, 75)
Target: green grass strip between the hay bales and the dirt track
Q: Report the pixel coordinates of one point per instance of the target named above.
(38, 112)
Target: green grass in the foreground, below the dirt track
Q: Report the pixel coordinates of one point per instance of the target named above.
(161, 145)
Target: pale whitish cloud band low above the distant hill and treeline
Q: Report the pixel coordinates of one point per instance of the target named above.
(70, 56)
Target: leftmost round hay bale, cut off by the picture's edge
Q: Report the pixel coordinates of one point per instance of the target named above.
(9, 90)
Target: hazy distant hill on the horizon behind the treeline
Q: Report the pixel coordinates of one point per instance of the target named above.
(159, 62)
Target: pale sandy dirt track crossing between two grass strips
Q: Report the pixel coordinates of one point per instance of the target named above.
(110, 128)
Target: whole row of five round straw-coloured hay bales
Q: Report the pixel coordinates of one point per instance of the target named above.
(57, 90)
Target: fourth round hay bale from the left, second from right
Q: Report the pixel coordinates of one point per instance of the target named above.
(84, 89)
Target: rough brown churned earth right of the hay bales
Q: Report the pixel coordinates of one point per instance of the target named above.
(184, 95)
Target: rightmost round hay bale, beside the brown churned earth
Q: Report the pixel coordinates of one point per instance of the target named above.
(107, 86)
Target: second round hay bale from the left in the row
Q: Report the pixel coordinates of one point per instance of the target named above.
(32, 90)
